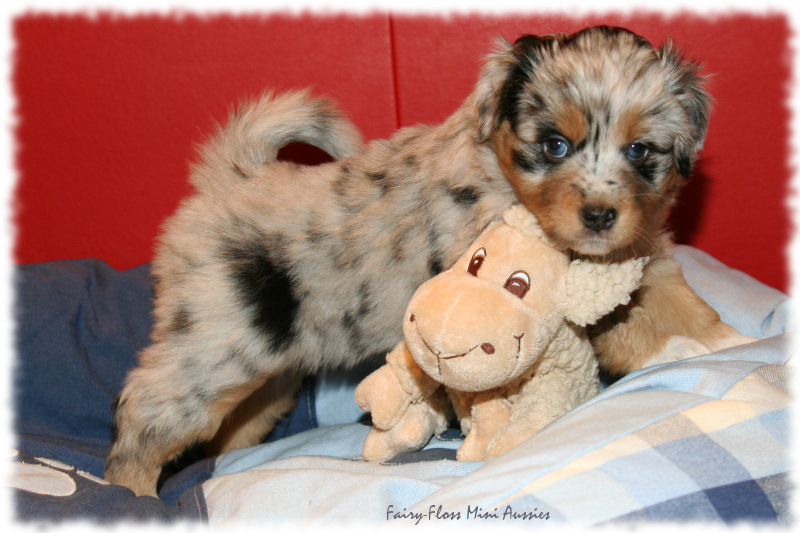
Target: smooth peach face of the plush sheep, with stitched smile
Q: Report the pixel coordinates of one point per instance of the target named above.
(488, 319)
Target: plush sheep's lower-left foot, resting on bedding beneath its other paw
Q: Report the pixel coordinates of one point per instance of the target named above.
(411, 433)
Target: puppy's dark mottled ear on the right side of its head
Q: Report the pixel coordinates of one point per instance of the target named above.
(687, 83)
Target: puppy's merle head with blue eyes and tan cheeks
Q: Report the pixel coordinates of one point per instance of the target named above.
(596, 131)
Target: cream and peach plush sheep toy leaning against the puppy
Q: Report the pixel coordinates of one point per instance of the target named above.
(499, 340)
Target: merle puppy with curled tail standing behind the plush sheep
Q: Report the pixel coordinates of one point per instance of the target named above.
(272, 271)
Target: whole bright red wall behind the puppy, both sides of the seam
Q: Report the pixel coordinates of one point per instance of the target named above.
(110, 110)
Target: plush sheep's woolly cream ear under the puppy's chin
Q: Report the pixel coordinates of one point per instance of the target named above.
(595, 289)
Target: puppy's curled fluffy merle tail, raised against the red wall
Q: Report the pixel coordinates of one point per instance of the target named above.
(256, 133)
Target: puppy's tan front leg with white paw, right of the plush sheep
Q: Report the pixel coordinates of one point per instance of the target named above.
(663, 307)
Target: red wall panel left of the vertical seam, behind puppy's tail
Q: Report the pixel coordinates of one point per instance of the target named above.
(111, 110)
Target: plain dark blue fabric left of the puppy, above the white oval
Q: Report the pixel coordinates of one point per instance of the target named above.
(79, 327)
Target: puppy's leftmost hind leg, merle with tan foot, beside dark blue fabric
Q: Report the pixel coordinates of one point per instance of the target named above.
(167, 405)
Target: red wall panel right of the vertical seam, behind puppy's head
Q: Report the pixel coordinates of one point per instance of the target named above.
(735, 205)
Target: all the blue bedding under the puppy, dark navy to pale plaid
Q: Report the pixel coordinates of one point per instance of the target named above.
(702, 439)
